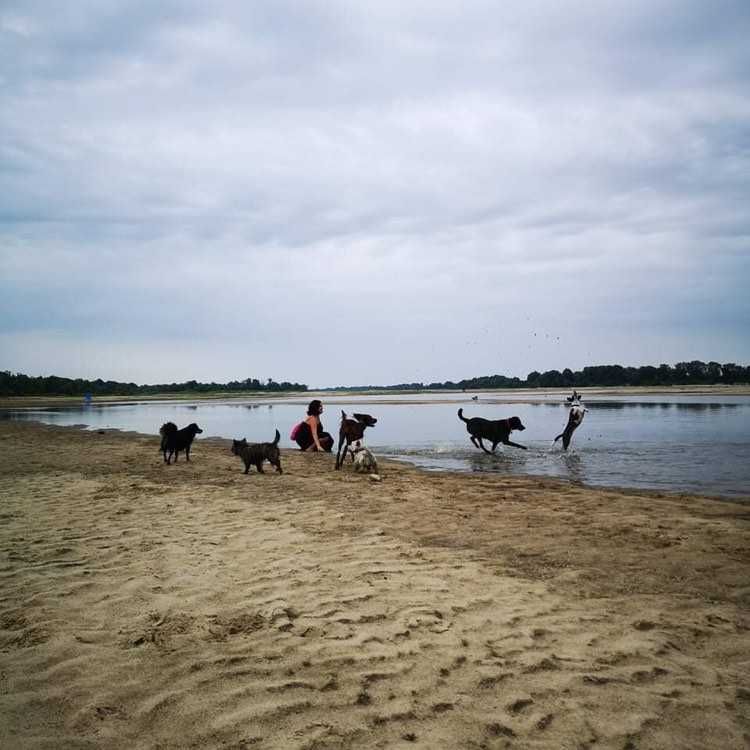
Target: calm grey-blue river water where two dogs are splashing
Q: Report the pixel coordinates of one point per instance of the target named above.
(678, 443)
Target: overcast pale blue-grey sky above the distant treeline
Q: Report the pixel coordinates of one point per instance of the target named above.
(375, 192)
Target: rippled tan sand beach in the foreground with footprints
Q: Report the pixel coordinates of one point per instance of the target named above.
(190, 606)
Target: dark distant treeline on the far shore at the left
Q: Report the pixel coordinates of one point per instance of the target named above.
(17, 384)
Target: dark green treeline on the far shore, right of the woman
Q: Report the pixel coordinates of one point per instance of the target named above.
(683, 373)
